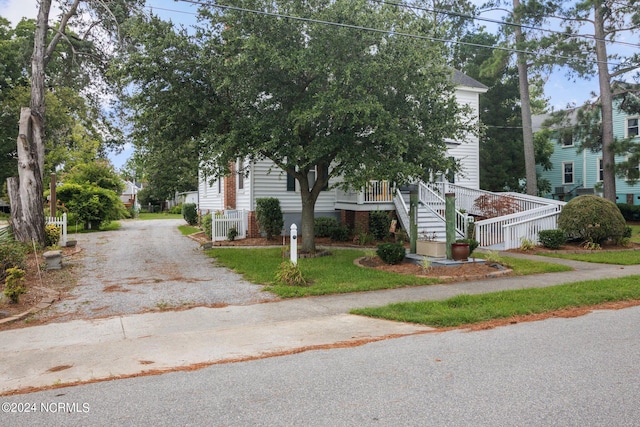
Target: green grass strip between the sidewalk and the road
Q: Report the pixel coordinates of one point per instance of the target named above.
(468, 309)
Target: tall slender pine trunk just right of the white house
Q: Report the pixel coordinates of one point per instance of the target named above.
(525, 108)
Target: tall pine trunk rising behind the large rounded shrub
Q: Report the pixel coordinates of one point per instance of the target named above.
(606, 105)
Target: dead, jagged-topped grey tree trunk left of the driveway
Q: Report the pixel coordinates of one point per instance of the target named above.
(25, 192)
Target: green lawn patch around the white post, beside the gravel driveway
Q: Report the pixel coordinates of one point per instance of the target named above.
(327, 275)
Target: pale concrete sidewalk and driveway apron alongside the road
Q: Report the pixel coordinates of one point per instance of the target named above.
(88, 350)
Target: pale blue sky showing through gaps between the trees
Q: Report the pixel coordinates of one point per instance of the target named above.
(560, 89)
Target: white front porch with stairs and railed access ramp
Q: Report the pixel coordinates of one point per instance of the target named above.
(500, 220)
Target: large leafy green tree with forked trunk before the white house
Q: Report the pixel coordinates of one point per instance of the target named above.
(308, 96)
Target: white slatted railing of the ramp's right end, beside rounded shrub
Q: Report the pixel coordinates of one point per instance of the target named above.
(493, 231)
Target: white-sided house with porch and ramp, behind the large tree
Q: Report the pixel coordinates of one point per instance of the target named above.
(239, 192)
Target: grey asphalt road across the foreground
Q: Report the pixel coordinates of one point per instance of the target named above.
(581, 371)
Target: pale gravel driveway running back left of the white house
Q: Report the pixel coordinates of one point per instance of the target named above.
(148, 265)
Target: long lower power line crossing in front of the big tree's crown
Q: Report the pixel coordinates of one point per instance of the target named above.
(376, 30)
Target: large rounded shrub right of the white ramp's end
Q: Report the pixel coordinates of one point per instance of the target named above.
(593, 219)
